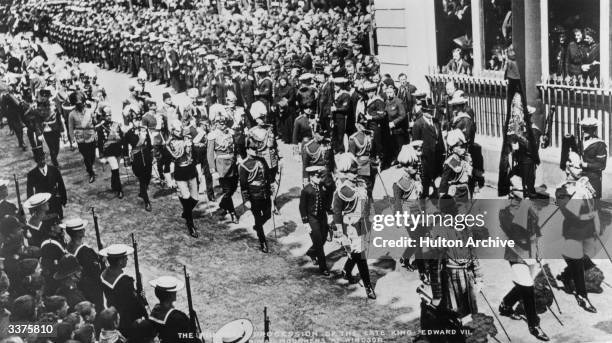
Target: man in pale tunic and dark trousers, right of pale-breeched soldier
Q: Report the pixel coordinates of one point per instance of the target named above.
(222, 160)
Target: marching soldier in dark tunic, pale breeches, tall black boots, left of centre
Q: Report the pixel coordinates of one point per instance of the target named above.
(180, 147)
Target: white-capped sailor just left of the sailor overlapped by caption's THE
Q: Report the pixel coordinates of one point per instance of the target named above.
(119, 287)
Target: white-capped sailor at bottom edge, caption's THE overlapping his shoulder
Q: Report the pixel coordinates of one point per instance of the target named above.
(172, 325)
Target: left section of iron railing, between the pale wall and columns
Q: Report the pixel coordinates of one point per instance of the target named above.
(486, 94)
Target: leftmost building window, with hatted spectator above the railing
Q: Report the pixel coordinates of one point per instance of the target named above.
(454, 35)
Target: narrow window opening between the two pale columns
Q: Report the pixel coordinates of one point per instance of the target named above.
(497, 32)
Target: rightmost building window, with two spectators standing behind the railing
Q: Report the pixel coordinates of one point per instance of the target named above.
(573, 27)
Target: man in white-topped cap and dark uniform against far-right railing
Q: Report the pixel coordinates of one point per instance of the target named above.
(594, 154)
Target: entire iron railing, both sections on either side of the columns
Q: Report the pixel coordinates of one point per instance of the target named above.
(567, 99)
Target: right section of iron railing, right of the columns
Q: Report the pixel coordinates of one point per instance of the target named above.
(570, 99)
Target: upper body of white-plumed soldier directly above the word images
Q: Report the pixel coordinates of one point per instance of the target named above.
(457, 169)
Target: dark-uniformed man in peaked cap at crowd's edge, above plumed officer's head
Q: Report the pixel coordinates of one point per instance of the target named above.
(341, 110)
